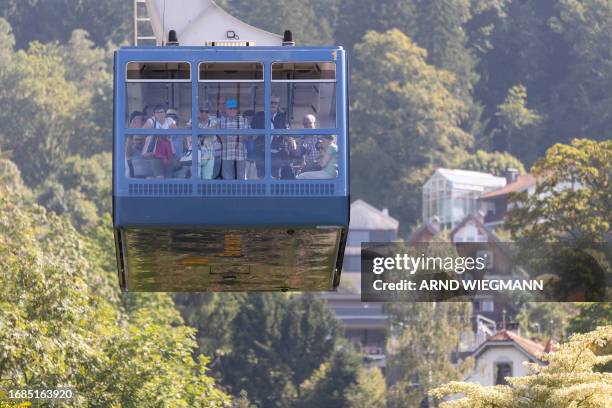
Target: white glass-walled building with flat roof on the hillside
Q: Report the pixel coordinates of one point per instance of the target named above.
(452, 195)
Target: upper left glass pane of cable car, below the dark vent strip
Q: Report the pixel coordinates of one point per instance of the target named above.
(144, 98)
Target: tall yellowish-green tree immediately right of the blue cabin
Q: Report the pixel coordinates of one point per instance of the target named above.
(404, 122)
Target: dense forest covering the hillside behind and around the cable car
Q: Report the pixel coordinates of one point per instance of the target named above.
(473, 84)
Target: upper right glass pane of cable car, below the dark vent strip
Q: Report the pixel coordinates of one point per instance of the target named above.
(306, 104)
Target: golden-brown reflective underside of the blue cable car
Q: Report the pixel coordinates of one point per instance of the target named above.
(230, 259)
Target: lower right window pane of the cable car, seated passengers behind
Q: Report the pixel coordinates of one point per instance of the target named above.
(304, 157)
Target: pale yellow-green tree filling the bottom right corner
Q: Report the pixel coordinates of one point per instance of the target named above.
(572, 378)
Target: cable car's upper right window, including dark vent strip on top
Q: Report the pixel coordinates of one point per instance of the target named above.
(305, 90)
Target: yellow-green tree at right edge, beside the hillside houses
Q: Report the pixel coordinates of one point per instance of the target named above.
(573, 196)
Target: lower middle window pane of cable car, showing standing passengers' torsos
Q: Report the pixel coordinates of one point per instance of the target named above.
(231, 157)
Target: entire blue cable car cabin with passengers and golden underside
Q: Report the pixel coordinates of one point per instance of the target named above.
(230, 168)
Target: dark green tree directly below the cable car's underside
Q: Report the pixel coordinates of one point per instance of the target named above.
(270, 336)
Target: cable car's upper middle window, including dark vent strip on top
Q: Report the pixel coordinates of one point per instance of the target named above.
(230, 84)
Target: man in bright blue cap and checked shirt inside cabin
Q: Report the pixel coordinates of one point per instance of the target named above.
(233, 166)
